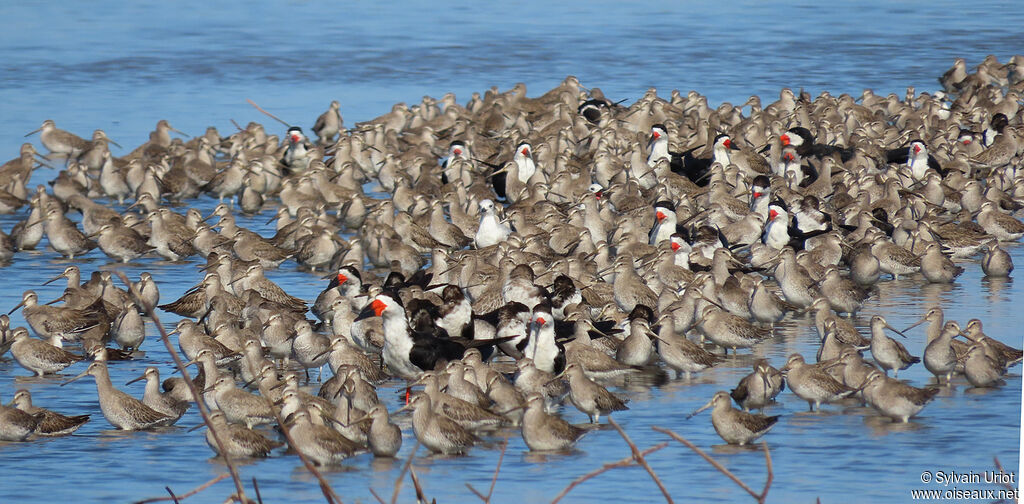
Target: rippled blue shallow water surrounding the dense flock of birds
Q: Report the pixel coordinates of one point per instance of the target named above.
(122, 68)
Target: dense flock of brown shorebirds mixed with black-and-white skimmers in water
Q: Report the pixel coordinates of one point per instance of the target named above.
(515, 253)
